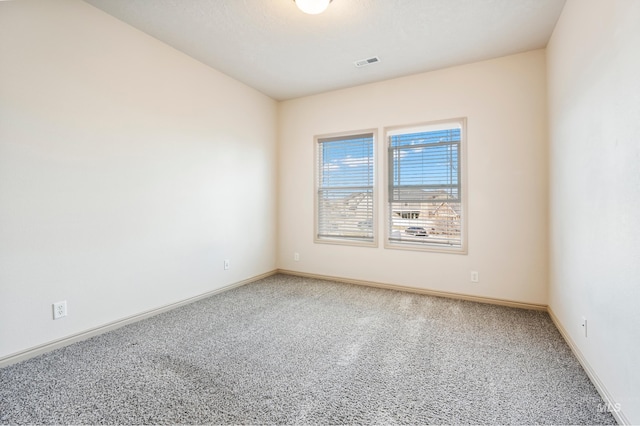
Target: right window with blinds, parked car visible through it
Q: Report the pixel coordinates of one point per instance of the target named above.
(425, 178)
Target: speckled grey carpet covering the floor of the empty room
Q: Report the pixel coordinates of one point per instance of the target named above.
(291, 350)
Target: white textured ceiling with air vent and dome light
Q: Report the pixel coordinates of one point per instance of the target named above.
(273, 47)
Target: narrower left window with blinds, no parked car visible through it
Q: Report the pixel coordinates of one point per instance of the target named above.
(345, 189)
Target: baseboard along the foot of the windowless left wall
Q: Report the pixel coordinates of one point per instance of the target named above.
(59, 343)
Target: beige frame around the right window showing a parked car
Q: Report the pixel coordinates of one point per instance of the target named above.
(460, 122)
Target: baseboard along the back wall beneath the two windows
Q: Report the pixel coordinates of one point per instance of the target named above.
(449, 295)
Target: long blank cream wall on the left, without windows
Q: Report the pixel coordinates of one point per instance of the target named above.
(127, 173)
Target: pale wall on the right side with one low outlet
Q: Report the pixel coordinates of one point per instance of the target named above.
(594, 117)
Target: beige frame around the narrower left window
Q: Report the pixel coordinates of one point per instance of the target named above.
(317, 140)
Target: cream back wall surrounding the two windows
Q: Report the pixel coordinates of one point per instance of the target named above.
(504, 101)
